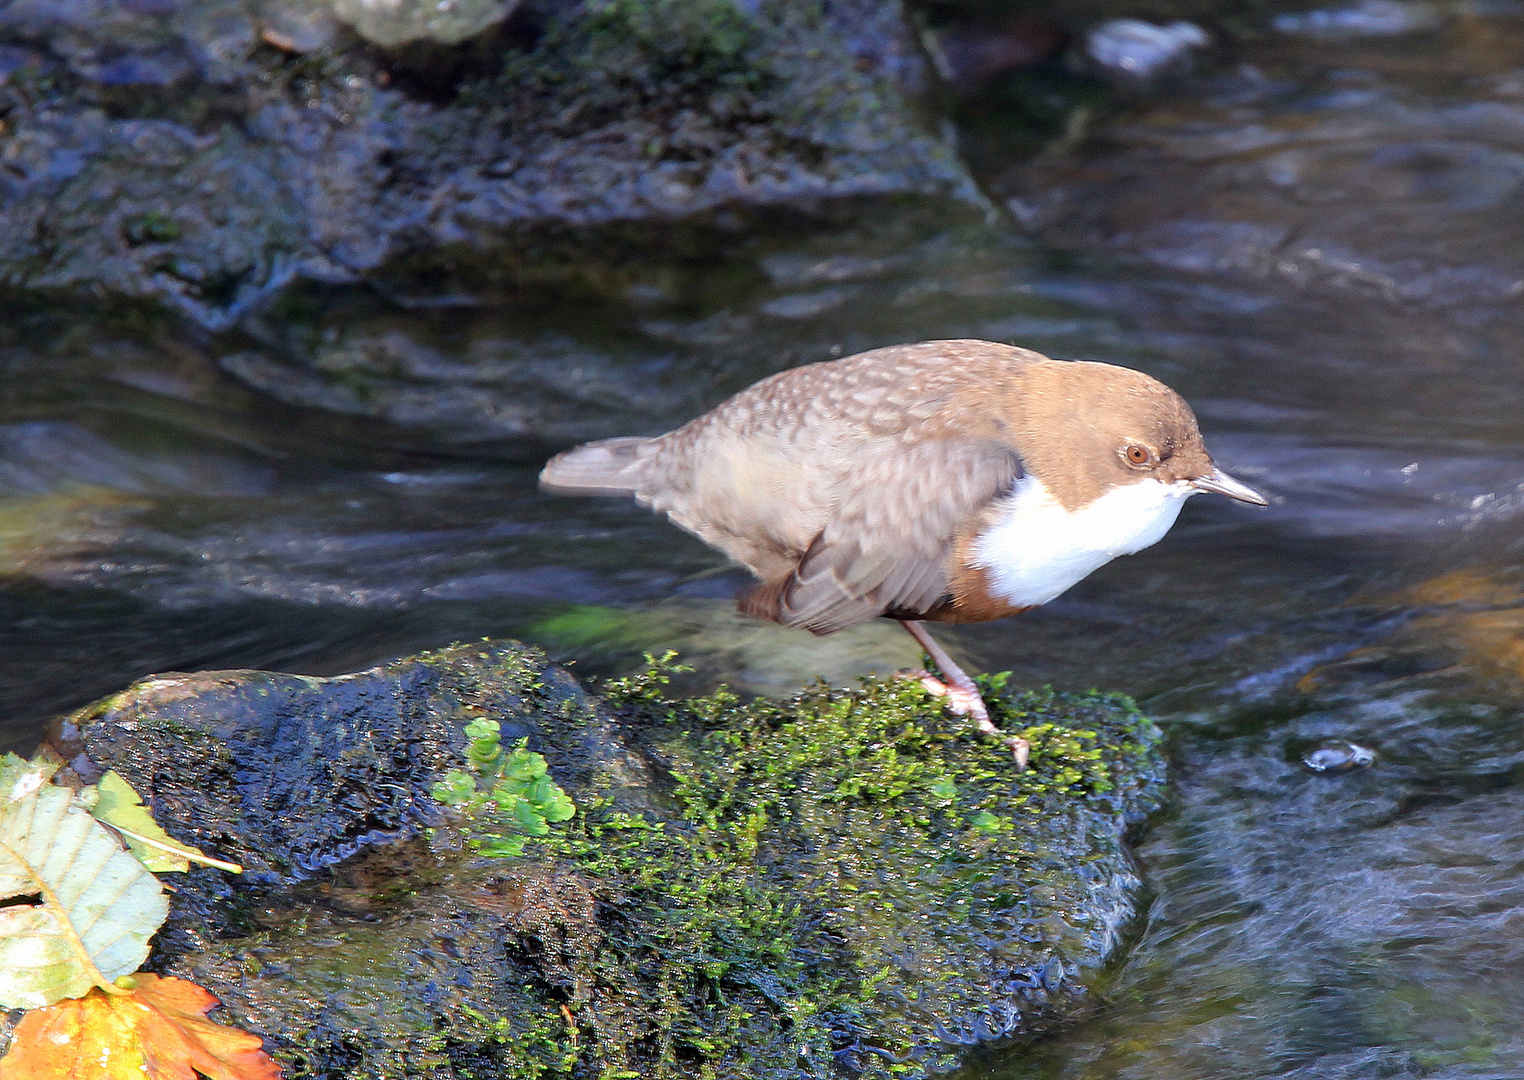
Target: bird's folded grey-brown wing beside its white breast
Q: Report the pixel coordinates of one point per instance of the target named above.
(886, 546)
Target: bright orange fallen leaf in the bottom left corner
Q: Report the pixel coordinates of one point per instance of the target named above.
(158, 1032)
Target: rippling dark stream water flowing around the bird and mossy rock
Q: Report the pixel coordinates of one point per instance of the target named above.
(1319, 241)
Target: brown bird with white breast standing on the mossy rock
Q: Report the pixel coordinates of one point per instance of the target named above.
(940, 482)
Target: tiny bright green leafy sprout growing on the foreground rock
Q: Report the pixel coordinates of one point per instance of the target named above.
(508, 796)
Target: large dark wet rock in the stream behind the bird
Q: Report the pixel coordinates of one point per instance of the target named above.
(207, 156)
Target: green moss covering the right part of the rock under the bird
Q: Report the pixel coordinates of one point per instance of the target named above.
(842, 878)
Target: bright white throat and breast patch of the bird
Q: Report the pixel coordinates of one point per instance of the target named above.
(1039, 549)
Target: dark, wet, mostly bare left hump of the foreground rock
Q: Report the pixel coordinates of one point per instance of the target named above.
(304, 773)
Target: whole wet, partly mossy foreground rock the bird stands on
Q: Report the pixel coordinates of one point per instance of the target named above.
(844, 883)
